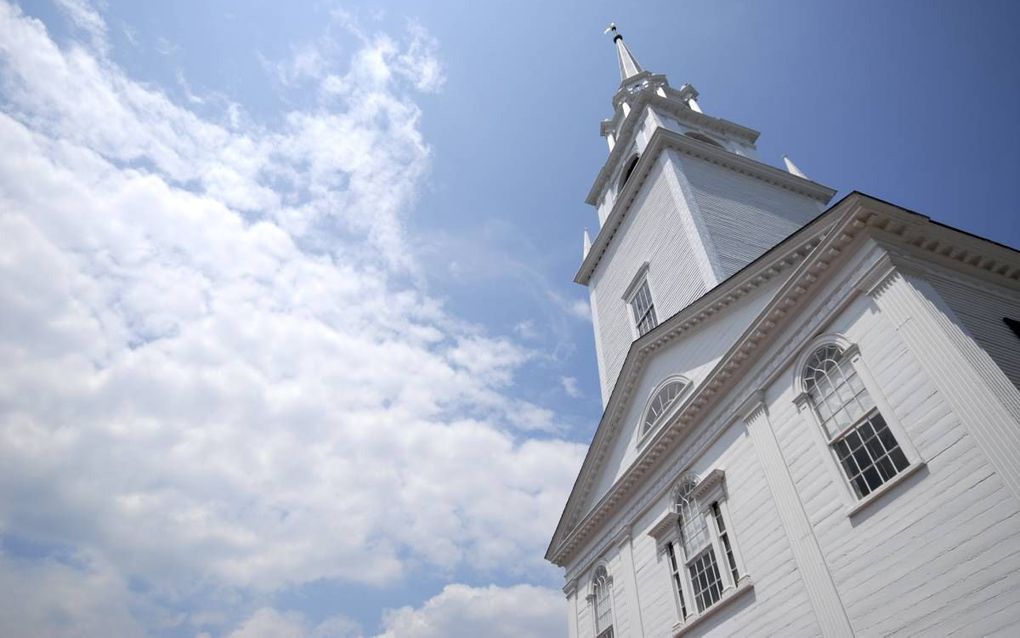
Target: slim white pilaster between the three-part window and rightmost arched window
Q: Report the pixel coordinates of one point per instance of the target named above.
(808, 556)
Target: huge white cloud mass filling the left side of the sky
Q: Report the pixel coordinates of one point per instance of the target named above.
(214, 375)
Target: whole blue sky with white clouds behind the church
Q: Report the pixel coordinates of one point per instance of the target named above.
(290, 336)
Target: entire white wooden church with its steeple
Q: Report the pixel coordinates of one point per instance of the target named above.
(811, 417)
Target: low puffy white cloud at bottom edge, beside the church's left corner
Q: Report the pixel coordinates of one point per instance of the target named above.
(462, 612)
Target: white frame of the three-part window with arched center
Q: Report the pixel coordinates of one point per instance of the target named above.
(709, 495)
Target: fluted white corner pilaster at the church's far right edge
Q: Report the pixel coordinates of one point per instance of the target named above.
(964, 374)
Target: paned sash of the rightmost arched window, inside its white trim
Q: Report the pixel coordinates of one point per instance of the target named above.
(857, 432)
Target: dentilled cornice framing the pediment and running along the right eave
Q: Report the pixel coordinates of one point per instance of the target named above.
(801, 265)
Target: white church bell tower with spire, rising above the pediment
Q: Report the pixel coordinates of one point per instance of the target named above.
(683, 204)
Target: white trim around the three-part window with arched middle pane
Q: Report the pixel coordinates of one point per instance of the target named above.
(711, 489)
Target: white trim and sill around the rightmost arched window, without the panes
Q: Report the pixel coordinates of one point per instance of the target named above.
(802, 401)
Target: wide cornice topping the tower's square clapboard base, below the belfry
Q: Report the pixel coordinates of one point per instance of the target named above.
(665, 139)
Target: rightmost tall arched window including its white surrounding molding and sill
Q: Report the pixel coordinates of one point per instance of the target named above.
(853, 420)
